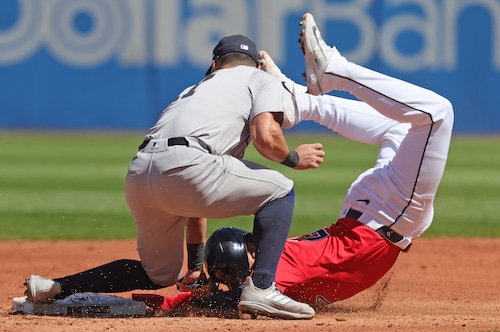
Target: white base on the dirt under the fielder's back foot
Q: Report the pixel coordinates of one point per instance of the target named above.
(82, 304)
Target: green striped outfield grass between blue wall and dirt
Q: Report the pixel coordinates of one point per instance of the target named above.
(70, 186)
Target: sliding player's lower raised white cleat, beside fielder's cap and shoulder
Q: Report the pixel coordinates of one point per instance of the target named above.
(289, 106)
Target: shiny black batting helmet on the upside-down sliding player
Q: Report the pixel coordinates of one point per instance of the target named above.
(226, 252)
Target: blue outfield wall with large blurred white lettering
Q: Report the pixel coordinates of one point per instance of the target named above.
(115, 64)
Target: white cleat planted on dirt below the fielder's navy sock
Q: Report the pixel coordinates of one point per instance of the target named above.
(270, 302)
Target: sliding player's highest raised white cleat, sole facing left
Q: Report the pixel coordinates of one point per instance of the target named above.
(316, 53)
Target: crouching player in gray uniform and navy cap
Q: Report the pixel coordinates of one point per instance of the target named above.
(189, 168)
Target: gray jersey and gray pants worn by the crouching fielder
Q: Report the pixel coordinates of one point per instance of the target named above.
(166, 184)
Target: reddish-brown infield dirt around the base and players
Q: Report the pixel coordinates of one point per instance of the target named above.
(440, 285)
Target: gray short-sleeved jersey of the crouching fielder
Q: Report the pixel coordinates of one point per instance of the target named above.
(217, 111)
